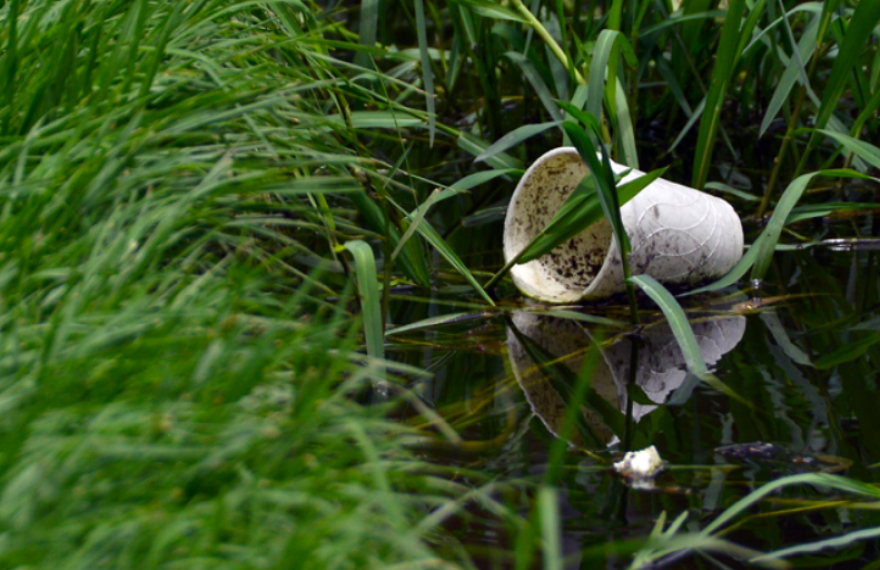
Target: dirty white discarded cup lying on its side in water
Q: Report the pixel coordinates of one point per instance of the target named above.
(678, 235)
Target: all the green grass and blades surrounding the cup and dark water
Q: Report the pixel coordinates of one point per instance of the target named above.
(204, 207)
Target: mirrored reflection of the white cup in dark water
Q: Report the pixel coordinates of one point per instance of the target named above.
(538, 345)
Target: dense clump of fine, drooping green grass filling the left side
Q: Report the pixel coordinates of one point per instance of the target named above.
(174, 392)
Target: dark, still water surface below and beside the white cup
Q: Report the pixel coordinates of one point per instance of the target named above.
(798, 360)
